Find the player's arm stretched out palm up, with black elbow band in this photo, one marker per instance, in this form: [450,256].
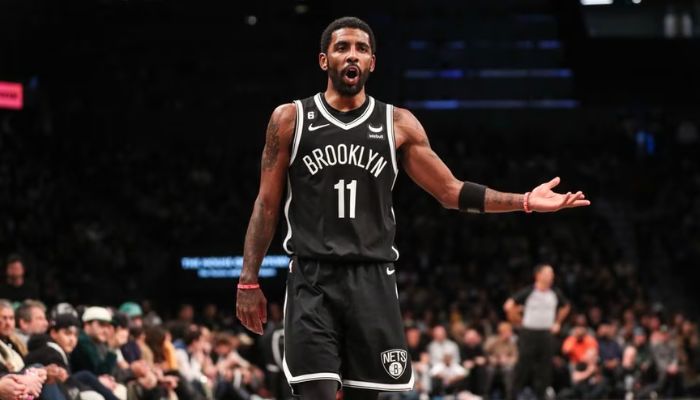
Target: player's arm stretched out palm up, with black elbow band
[427,169]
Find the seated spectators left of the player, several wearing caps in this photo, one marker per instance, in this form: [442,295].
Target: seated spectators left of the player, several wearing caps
[91,352]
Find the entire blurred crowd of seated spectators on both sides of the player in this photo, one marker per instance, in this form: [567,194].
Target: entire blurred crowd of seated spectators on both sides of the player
[129,352]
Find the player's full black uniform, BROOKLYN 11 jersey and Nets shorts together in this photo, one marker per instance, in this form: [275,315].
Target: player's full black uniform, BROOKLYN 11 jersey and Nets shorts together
[342,317]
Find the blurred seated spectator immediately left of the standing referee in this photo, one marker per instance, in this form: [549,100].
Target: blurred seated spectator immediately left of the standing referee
[502,353]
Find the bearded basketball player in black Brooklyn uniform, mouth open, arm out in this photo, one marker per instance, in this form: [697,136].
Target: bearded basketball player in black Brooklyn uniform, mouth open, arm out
[337,153]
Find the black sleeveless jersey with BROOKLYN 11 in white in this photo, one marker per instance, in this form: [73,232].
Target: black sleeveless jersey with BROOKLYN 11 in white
[340,178]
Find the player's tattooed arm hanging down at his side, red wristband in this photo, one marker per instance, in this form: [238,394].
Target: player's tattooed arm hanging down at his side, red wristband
[251,305]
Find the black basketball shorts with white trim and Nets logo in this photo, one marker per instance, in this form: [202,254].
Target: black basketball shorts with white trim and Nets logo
[342,322]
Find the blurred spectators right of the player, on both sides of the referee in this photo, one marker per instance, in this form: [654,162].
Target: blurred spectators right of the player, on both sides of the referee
[631,356]
